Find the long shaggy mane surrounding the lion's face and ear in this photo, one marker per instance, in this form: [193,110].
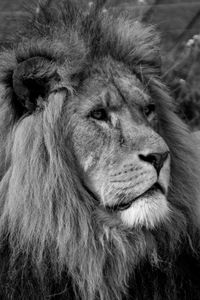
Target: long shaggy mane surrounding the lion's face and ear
[55,242]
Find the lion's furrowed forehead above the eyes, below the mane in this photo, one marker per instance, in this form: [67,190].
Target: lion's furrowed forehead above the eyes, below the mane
[113,87]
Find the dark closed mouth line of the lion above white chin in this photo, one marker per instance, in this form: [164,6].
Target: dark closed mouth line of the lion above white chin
[122,206]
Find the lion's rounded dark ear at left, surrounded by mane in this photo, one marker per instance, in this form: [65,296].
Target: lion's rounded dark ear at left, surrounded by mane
[33,80]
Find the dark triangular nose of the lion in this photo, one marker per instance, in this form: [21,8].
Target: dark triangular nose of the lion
[156,159]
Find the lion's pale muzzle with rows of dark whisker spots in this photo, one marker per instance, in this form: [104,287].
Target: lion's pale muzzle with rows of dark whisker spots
[132,179]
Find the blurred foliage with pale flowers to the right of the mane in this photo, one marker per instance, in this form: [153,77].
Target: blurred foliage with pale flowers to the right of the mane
[182,73]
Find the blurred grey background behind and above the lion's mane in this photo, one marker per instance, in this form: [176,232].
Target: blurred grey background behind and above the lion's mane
[178,22]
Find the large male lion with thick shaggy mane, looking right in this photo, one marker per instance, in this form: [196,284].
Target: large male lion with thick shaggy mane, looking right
[99,178]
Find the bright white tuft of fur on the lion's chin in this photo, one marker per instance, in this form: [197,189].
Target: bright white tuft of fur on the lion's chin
[146,211]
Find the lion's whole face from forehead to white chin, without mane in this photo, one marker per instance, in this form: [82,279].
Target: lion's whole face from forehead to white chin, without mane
[125,162]
